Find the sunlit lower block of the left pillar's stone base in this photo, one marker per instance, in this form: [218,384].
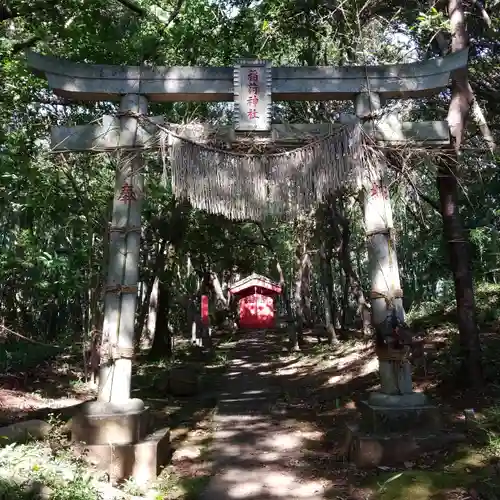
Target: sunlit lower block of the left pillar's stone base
[141,461]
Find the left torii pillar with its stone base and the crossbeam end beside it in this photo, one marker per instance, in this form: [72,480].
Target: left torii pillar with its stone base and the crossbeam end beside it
[114,428]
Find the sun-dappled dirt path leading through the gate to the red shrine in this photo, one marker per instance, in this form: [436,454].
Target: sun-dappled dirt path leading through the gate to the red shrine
[260,451]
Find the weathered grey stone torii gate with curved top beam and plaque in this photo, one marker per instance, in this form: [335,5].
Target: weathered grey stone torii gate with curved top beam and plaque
[133,87]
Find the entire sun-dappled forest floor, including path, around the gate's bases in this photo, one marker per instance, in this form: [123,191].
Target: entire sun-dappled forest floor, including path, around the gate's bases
[296,409]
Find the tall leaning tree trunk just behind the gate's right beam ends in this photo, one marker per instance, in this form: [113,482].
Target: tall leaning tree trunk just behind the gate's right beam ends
[447,184]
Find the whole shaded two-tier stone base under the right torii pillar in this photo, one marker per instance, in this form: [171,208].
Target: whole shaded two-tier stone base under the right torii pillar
[394,429]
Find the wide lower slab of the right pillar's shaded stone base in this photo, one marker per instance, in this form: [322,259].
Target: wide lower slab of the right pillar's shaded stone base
[367,450]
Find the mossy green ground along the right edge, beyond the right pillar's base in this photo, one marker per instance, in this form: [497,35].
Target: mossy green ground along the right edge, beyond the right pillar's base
[469,471]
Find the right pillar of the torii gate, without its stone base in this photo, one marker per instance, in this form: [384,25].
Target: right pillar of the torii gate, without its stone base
[386,294]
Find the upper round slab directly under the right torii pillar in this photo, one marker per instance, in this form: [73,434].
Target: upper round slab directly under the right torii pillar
[399,418]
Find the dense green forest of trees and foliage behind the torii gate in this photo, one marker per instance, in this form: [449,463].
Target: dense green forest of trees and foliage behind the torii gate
[55,210]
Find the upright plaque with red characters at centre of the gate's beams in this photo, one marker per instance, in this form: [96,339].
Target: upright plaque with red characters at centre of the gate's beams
[252,96]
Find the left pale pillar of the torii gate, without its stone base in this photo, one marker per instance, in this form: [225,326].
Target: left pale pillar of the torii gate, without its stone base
[123,273]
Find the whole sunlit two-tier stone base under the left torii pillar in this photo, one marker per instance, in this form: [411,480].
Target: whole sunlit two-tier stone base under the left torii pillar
[115,438]
